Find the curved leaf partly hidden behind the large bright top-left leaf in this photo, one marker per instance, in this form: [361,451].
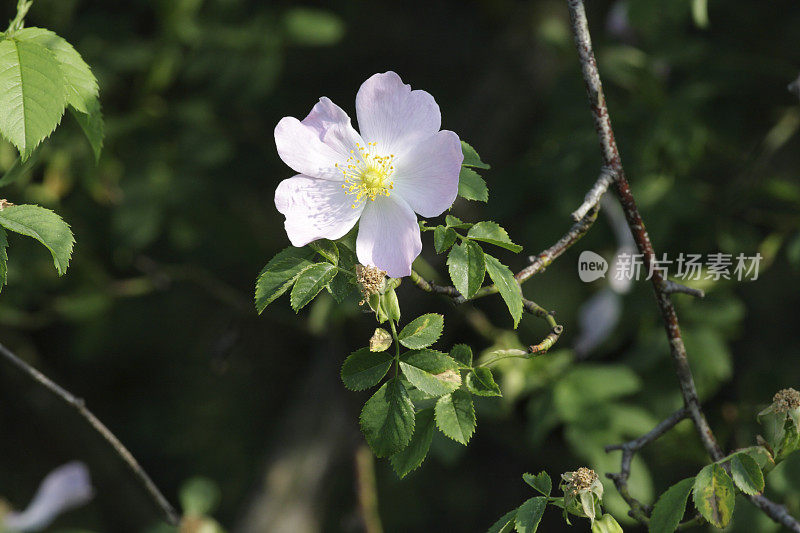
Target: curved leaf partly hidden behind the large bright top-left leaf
[80,83]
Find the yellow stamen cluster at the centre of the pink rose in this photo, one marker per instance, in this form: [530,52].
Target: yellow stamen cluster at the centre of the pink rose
[366,174]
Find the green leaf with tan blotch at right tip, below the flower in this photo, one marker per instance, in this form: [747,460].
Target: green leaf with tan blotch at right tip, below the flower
[432,372]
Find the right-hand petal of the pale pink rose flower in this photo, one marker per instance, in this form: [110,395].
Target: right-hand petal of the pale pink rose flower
[427,176]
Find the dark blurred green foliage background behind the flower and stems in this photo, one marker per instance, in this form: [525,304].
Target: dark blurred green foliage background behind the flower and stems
[154,324]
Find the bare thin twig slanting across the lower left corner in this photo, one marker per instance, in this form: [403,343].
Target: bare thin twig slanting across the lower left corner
[40,380]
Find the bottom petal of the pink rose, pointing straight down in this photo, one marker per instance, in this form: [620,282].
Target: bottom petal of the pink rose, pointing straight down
[388,236]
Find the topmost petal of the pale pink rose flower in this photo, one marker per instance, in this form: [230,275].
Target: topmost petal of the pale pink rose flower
[392,115]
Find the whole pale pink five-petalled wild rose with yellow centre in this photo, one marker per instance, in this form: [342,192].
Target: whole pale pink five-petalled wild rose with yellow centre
[400,165]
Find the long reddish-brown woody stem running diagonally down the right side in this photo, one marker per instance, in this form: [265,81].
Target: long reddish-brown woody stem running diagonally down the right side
[611,160]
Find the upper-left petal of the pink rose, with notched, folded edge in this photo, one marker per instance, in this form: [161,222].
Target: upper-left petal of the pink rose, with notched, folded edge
[314,146]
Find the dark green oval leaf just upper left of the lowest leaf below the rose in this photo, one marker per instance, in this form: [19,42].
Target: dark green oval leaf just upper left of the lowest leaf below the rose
[387,419]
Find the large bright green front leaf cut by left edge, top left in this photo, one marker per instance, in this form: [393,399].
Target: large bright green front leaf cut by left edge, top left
[32,94]
